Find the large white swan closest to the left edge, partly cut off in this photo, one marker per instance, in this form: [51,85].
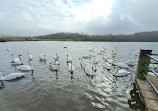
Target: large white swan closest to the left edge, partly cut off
[11,76]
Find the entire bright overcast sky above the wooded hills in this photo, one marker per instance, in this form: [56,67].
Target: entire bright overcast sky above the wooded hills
[36,17]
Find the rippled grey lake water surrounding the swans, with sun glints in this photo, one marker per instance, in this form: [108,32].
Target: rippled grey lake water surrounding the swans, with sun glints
[45,90]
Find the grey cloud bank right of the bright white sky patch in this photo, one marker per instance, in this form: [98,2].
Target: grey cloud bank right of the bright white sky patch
[127,16]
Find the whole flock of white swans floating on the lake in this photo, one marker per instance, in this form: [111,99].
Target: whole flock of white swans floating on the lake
[88,63]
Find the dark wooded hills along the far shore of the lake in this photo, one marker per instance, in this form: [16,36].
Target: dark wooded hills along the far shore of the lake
[136,37]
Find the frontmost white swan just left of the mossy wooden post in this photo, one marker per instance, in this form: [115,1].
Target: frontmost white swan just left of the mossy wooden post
[121,72]
